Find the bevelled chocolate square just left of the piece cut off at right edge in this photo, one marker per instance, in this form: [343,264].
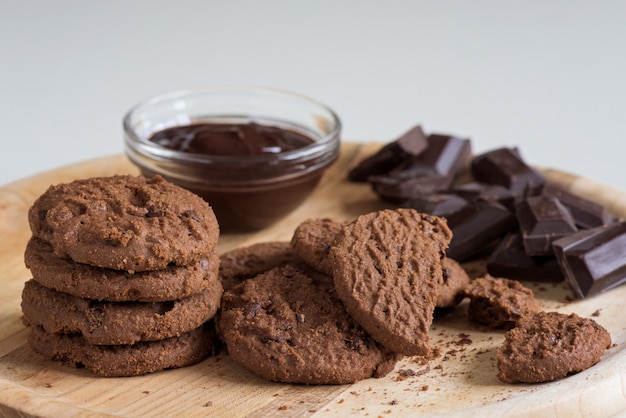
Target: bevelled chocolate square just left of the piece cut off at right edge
[543,219]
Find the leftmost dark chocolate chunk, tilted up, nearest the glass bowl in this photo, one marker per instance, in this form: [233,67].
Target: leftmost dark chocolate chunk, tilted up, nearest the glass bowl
[411,143]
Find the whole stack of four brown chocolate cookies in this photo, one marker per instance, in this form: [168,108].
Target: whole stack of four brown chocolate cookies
[125,275]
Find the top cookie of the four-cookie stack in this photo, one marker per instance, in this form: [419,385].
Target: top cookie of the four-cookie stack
[125,222]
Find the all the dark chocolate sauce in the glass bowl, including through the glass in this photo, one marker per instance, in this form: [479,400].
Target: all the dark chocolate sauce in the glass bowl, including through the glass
[245,194]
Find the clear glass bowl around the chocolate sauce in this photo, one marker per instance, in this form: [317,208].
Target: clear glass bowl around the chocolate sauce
[246,192]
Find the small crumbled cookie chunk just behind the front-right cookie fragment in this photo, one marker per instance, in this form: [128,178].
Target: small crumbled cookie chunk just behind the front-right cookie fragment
[499,302]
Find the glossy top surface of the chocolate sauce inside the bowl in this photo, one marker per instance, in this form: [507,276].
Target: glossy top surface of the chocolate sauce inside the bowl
[230,139]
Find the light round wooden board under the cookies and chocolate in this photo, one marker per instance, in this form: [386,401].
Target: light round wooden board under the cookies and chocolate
[460,381]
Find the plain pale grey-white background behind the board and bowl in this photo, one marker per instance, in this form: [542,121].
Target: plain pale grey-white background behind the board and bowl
[546,76]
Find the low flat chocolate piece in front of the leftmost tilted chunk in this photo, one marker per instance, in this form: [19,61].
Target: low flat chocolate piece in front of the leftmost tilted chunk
[391,188]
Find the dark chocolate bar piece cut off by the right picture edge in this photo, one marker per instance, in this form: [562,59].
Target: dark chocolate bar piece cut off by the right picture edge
[592,260]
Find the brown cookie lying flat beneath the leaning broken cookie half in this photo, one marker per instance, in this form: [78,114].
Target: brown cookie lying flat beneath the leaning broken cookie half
[288,325]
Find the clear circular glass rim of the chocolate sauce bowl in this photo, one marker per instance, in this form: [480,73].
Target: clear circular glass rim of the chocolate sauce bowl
[152,150]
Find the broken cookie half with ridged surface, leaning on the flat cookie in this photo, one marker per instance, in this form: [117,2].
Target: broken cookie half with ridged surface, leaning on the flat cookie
[388,272]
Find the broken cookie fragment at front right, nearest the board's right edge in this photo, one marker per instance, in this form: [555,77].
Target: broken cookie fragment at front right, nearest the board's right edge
[546,346]
